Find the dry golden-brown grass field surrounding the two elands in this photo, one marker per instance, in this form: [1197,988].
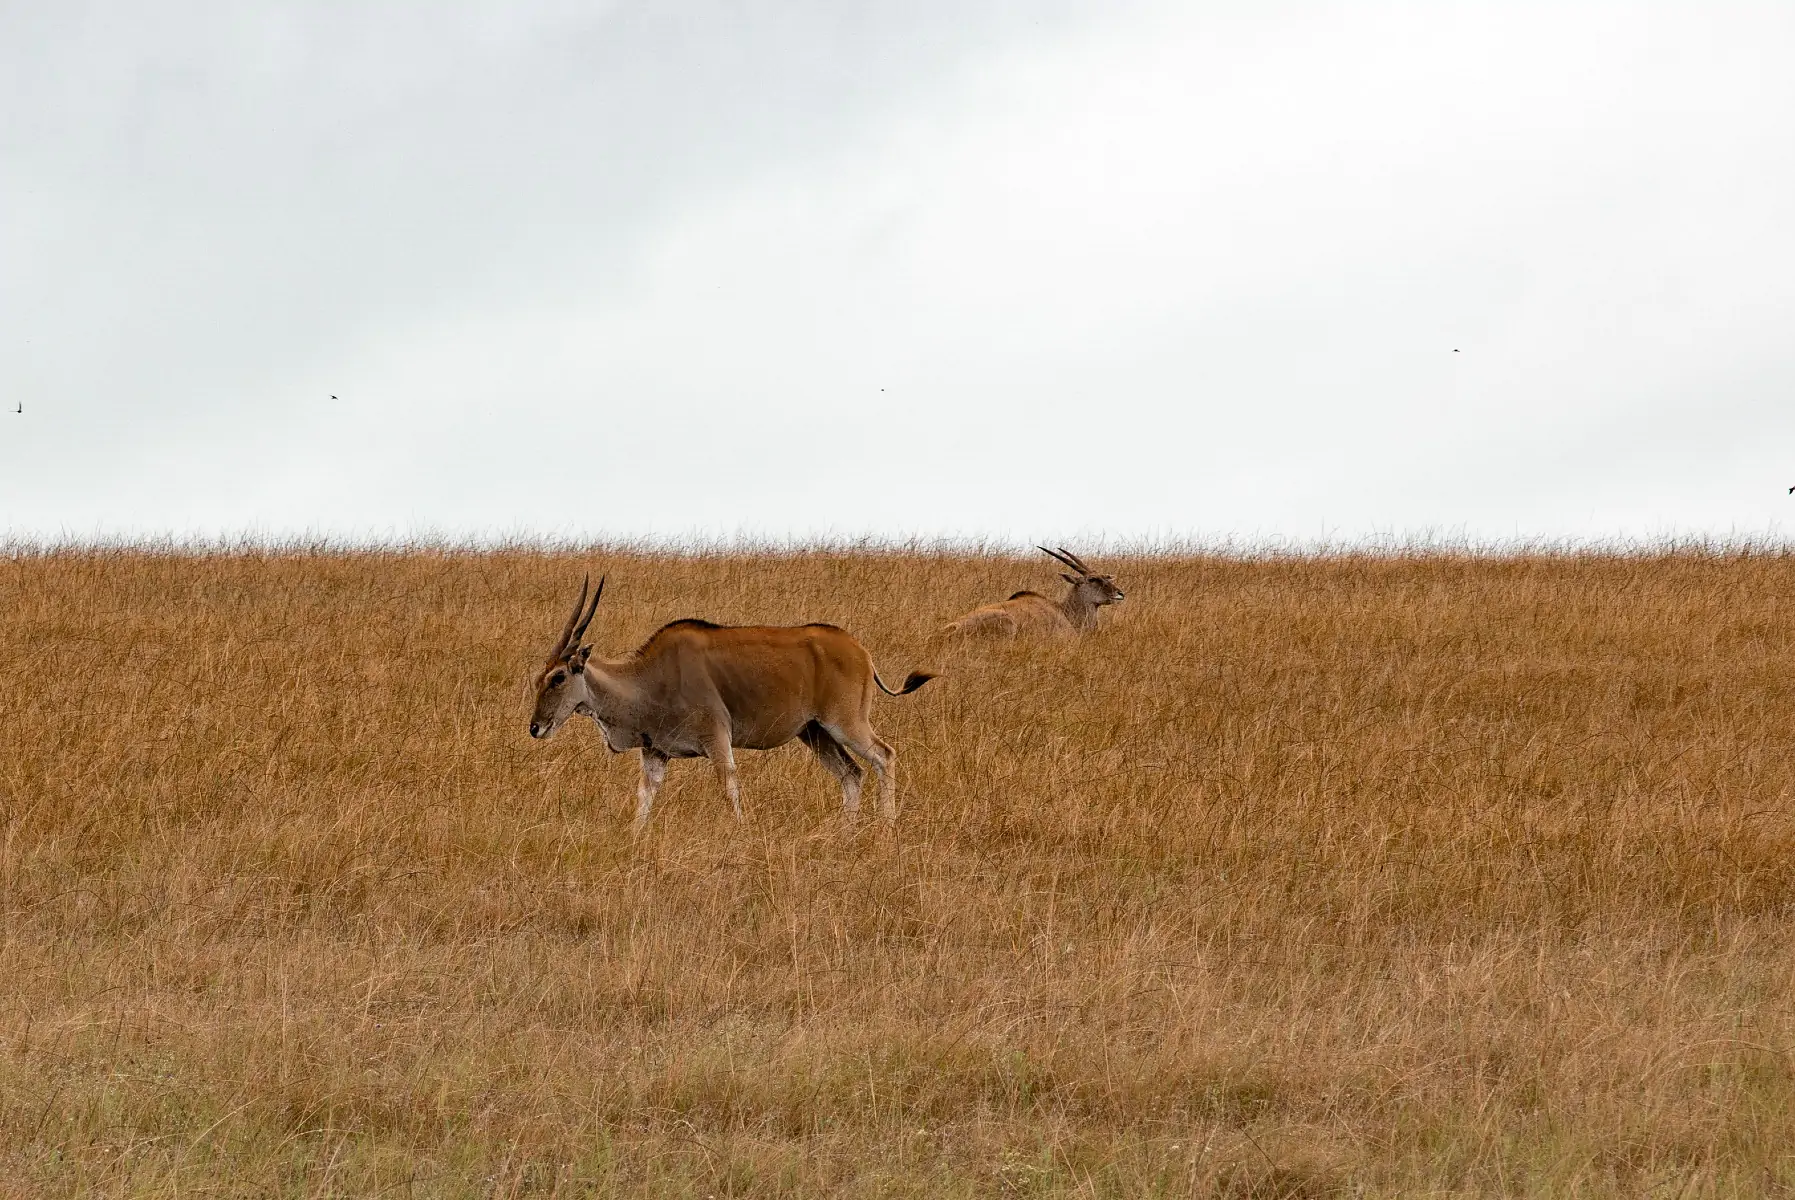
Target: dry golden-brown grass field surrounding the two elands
[1311,876]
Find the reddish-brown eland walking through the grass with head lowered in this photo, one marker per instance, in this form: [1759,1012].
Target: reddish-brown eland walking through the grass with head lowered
[697,691]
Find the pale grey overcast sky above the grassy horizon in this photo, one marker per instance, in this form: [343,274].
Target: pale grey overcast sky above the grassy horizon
[1256,272]
